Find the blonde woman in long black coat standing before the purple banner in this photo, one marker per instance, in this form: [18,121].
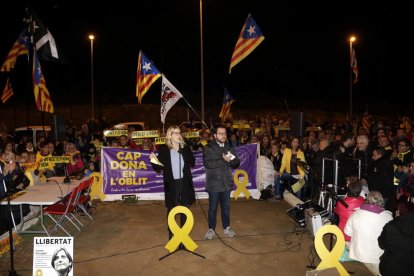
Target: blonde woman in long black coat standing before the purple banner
[175,159]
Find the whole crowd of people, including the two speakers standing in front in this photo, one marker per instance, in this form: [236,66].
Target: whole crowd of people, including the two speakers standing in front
[375,187]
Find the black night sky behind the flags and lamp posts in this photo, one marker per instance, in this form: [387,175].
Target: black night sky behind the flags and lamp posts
[304,57]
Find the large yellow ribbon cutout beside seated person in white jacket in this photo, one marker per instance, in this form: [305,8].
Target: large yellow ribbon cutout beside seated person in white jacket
[330,258]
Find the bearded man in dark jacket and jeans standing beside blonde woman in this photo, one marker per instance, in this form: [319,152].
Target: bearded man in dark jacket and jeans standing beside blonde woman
[219,158]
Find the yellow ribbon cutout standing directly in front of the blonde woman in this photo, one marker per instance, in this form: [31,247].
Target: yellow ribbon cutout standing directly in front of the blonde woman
[181,235]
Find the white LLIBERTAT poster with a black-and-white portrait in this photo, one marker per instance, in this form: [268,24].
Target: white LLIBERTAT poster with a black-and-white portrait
[53,256]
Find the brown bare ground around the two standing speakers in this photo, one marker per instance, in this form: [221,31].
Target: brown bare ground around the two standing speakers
[129,240]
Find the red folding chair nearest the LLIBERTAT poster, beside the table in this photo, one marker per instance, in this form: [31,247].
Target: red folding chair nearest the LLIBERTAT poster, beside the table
[64,210]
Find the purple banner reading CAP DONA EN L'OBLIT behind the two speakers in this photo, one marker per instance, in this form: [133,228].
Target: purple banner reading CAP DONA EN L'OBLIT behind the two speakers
[128,171]
